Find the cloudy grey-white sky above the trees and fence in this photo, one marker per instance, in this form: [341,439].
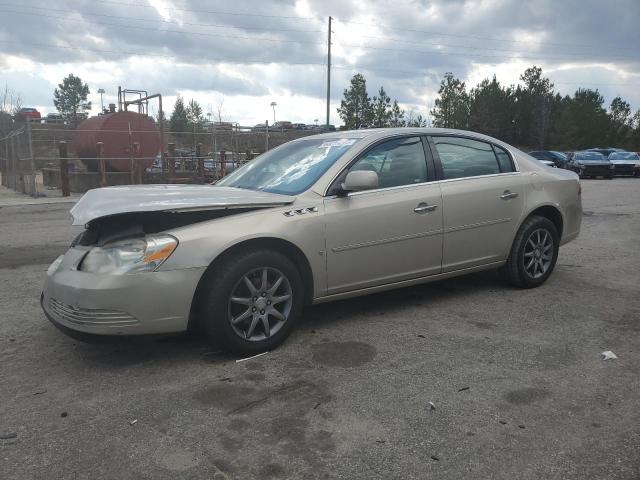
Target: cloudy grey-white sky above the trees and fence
[243,55]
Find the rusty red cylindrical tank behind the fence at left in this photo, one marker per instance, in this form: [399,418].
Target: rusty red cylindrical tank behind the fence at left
[113,130]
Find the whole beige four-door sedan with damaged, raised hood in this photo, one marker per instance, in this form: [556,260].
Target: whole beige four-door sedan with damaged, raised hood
[320,218]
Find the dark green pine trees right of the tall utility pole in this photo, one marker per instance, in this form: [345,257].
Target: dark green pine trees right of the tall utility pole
[530,115]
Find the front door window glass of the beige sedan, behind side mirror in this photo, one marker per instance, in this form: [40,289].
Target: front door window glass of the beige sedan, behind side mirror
[396,162]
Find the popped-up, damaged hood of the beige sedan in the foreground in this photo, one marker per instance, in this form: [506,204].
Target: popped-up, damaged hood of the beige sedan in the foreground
[104,202]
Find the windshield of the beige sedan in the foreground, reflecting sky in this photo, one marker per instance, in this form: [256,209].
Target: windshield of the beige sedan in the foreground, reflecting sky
[291,168]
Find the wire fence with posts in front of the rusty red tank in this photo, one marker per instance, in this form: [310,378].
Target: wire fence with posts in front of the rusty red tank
[36,158]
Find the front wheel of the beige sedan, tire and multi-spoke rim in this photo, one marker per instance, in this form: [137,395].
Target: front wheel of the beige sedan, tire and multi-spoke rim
[248,333]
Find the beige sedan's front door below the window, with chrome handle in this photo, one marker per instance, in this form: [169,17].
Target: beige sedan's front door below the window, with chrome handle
[376,237]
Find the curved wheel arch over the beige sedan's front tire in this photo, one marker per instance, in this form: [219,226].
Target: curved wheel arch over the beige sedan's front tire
[280,245]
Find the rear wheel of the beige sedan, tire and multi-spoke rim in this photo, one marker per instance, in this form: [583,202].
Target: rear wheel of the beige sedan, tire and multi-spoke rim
[517,271]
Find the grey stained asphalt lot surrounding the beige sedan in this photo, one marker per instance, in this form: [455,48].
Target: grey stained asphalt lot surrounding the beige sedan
[518,383]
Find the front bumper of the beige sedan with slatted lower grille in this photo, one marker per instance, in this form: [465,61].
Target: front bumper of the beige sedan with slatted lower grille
[134,304]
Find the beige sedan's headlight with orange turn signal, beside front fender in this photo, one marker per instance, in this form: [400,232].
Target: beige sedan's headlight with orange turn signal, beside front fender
[130,256]
